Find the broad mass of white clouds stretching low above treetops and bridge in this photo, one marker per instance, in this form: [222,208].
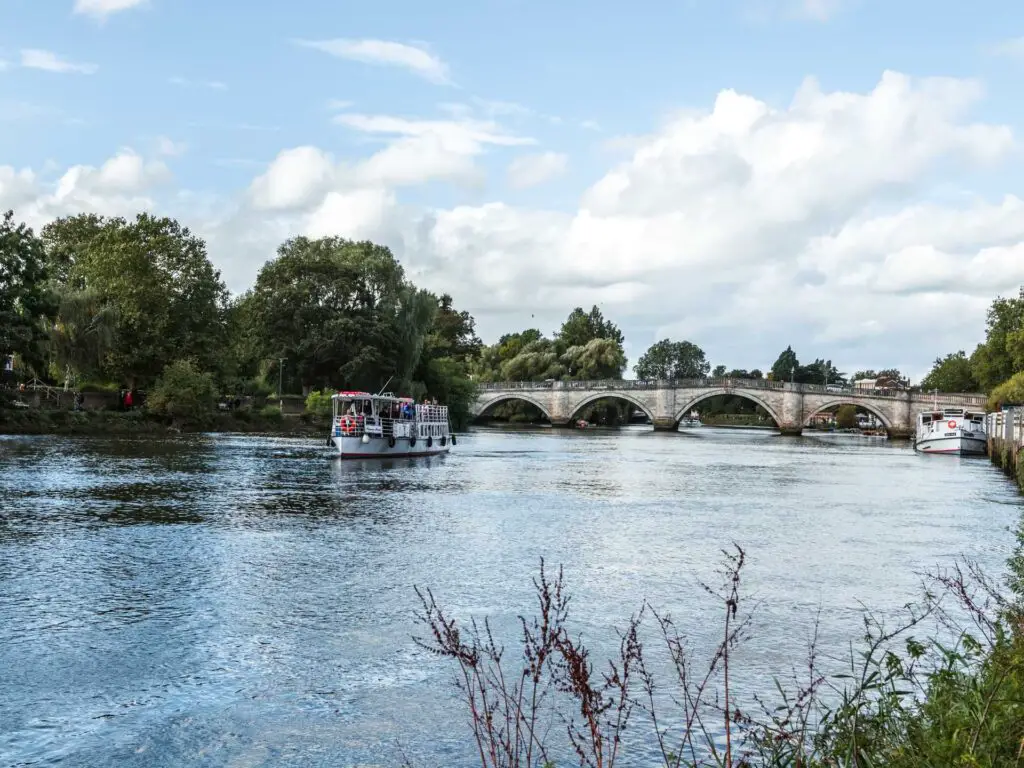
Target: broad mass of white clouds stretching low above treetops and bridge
[744,228]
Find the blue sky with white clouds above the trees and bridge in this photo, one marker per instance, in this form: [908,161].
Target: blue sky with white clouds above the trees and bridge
[843,177]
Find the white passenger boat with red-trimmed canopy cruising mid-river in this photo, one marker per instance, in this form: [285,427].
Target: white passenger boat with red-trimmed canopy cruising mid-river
[371,426]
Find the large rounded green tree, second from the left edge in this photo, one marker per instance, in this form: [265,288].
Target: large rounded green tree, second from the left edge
[154,276]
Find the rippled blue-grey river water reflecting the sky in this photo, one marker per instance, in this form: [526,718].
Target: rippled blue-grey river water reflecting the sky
[247,601]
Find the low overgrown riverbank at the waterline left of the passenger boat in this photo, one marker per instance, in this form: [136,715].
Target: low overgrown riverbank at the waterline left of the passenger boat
[107,423]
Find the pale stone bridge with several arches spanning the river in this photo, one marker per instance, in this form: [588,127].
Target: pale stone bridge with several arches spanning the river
[666,403]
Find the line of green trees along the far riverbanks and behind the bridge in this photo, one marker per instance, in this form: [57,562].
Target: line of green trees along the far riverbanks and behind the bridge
[137,304]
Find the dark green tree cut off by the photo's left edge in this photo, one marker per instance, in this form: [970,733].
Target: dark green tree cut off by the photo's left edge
[24,298]
